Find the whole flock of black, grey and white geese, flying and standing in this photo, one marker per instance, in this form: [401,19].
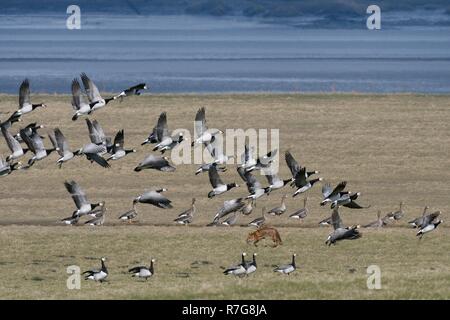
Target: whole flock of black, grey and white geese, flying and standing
[102,149]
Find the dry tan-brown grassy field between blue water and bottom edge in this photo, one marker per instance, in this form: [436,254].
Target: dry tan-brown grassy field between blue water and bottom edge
[389,147]
